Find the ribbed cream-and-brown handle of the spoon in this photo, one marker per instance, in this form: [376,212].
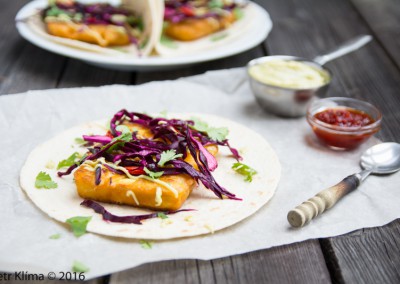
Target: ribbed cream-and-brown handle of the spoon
[324,200]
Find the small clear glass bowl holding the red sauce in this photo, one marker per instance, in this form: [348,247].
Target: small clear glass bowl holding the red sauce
[343,137]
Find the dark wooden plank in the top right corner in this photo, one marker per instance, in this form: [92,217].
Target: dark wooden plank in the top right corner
[383,18]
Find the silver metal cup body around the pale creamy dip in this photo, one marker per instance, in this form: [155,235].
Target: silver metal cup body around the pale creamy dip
[283,101]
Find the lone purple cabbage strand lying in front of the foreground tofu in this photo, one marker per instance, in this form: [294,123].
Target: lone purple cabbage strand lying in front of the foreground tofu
[133,219]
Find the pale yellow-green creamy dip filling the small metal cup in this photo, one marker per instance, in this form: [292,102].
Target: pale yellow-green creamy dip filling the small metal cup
[289,74]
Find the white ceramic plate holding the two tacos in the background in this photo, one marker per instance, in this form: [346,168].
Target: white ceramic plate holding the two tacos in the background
[258,30]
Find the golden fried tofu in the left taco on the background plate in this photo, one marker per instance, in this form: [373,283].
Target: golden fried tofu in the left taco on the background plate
[103,35]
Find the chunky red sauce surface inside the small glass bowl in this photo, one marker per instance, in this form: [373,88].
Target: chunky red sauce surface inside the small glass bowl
[345,117]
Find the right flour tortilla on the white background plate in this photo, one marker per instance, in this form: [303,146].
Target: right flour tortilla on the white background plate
[170,47]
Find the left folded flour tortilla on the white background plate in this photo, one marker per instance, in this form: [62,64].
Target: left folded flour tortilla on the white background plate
[146,8]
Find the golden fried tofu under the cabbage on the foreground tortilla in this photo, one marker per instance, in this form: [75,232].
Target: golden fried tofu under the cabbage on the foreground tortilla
[120,189]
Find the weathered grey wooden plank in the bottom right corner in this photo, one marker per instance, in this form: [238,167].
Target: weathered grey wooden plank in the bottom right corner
[367,256]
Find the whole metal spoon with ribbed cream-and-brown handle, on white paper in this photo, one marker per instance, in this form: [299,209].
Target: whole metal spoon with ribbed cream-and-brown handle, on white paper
[383,158]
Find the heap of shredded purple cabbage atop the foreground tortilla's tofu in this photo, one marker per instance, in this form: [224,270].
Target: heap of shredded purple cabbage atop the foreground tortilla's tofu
[168,134]
